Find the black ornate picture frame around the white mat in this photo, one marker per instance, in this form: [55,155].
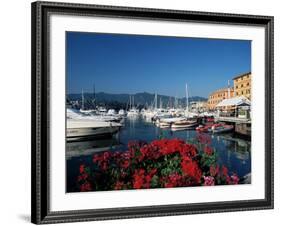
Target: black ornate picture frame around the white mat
[40,211]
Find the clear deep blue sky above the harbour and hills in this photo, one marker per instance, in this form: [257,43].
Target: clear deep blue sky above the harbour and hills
[136,63]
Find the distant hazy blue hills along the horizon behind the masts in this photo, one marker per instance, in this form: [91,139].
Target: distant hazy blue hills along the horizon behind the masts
[140,99]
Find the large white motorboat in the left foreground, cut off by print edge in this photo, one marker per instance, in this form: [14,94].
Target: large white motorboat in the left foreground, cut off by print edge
[82,129]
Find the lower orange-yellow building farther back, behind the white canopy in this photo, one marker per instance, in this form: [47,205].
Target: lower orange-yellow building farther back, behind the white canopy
[219,95]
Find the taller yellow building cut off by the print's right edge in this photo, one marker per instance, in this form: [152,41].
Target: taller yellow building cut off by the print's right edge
[242,85]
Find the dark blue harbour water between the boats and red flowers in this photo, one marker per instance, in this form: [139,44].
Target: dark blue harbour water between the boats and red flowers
[233,151]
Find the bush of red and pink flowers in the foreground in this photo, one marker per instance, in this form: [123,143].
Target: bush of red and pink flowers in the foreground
[163,163]
